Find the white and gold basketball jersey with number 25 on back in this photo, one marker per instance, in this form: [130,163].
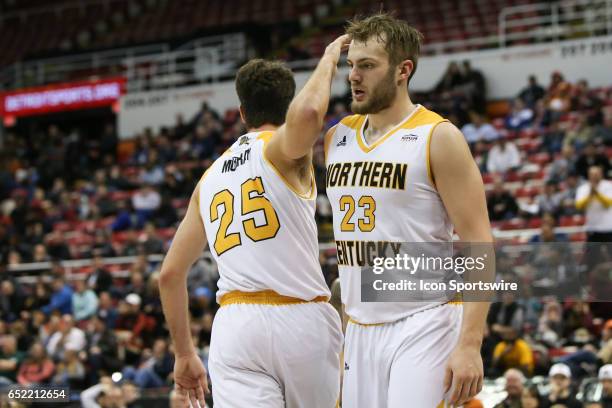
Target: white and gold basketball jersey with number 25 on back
[262,234]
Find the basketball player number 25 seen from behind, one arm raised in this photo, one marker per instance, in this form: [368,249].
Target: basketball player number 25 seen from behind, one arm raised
[276,340]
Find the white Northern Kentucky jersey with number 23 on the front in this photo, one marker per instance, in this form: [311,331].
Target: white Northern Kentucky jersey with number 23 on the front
[382,194]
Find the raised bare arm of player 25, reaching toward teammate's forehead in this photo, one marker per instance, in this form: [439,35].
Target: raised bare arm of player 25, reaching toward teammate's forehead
[290,148]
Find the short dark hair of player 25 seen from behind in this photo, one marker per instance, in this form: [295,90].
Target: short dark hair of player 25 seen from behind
[265,89]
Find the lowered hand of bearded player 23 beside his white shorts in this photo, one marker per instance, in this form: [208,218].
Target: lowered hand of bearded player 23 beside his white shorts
[464,375]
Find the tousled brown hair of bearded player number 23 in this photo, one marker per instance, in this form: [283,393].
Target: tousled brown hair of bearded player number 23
[401,40]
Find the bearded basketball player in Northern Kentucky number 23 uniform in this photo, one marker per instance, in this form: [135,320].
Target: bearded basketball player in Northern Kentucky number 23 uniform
[397,172]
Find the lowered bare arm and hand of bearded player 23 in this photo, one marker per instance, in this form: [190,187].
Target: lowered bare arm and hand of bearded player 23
[460,186]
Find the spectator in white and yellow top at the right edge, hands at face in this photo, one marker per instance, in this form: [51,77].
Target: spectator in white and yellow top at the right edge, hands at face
[595,199]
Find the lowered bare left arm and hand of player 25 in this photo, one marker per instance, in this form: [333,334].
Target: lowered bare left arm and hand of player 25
[189,241]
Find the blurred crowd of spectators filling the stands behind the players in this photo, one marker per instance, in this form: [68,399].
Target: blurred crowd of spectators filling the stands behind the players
[73,191]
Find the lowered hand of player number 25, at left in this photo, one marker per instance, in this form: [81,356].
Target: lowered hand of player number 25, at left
[191,379]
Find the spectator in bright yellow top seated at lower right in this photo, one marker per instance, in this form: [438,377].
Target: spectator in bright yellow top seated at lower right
[513,352]
